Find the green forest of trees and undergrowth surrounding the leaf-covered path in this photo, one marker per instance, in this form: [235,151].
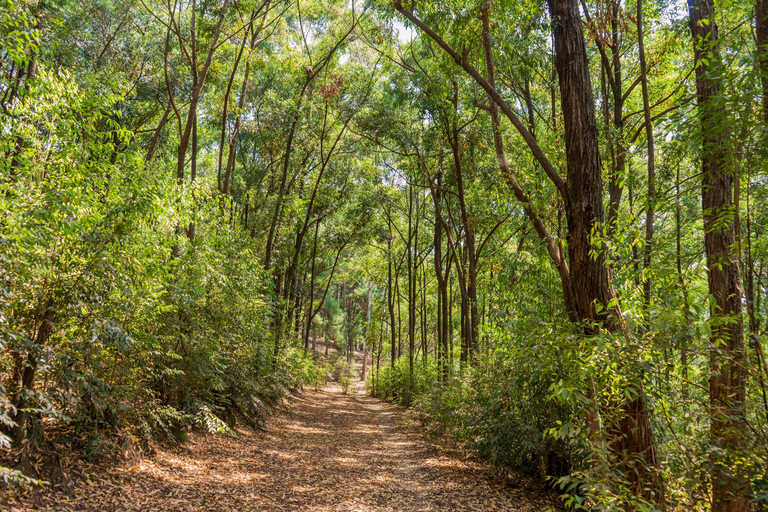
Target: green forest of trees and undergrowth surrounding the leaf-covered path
[541,223]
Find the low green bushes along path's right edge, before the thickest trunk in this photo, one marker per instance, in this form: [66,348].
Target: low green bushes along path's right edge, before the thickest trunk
[501,407]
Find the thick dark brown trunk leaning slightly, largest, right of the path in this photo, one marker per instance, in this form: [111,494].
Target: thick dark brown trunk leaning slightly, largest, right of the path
[633,444]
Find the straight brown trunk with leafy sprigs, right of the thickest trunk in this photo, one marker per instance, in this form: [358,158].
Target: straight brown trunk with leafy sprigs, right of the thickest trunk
[727,384]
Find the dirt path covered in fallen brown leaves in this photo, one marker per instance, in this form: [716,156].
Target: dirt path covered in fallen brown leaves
[322,451]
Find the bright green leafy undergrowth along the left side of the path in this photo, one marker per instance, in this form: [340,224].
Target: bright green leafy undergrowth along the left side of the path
[130,331]
